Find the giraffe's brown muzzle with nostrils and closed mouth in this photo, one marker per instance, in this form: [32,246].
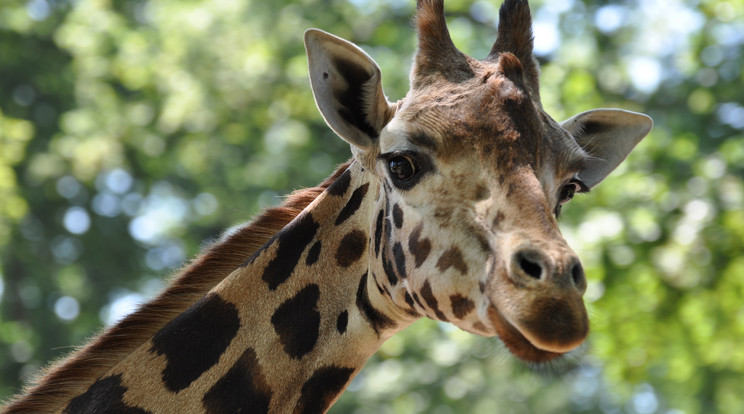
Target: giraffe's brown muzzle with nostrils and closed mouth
[537,295]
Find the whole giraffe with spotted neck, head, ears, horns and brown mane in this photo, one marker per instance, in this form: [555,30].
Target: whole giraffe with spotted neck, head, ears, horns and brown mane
[447,209]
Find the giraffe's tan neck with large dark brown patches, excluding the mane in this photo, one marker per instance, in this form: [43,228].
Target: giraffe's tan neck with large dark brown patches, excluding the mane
[286,332]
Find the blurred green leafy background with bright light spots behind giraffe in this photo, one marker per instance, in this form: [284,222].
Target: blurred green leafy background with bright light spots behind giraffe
[132,132]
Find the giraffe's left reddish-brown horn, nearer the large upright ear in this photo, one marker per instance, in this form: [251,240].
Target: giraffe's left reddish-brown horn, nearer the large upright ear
[436,54]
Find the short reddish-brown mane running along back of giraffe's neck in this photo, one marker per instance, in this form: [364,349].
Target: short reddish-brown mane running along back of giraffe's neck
[74,373]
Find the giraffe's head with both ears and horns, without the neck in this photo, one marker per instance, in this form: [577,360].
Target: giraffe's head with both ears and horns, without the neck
[472,175]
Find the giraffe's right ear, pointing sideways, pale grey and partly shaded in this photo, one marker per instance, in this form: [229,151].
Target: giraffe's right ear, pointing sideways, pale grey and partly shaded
[608,135]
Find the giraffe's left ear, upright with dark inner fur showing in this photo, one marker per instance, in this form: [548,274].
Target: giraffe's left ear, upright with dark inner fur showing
[347,86]
